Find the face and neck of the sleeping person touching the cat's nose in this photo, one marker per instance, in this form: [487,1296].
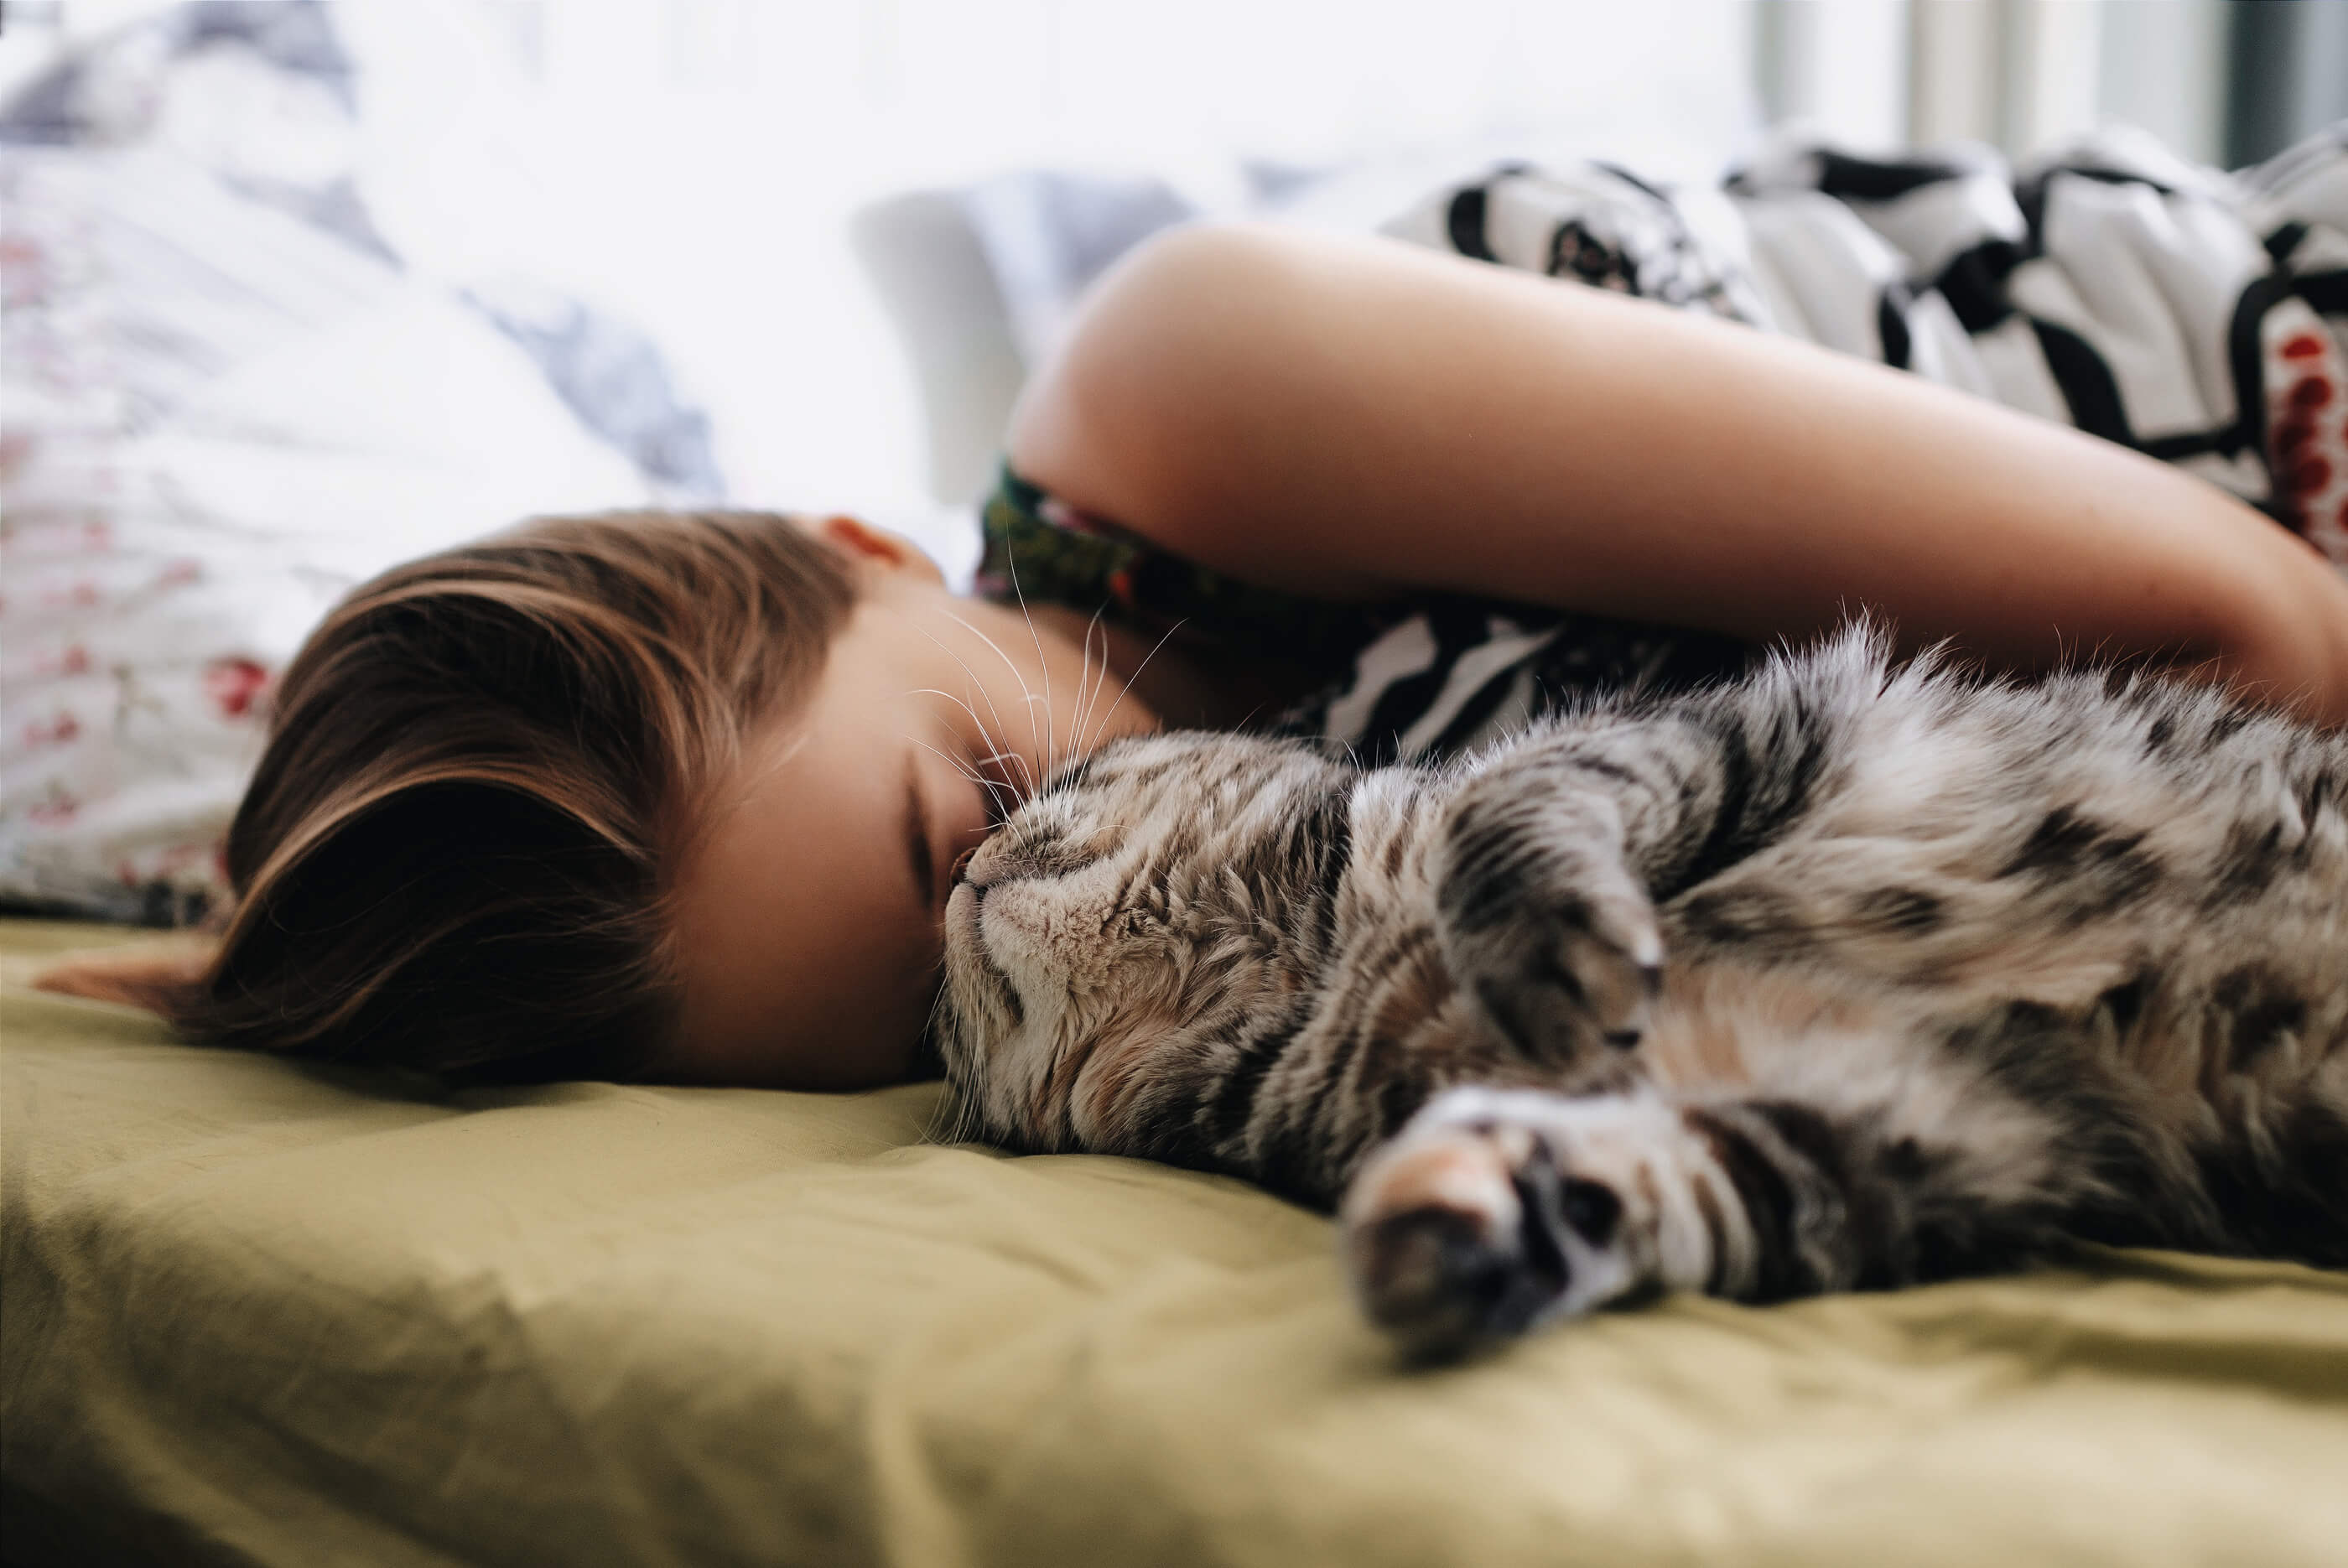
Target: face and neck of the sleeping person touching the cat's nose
[809,917]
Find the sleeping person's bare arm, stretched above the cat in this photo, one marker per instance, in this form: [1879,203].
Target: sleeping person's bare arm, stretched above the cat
[1347,417]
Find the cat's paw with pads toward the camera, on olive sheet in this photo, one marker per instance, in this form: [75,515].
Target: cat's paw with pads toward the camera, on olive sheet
[1499,1210]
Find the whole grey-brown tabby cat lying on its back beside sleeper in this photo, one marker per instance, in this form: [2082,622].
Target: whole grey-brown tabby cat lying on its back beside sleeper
[1840,978]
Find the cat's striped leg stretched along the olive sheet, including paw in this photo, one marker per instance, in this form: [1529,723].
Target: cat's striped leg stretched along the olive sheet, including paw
[1499,1210]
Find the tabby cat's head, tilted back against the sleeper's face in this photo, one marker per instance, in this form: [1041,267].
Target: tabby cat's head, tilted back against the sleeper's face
[1142,903]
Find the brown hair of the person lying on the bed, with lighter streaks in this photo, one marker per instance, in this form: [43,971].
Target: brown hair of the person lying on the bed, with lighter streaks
[483,771]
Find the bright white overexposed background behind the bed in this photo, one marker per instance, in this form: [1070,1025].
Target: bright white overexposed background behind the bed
[696,161]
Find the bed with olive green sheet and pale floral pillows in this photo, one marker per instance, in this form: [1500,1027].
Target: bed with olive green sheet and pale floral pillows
[262,1313]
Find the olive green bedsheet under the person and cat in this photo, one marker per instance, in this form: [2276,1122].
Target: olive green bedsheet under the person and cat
[266,1316]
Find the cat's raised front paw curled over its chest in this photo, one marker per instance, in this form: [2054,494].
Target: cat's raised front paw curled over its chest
[1549,931]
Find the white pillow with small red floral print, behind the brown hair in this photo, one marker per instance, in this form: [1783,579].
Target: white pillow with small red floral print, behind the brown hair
[217,421]
